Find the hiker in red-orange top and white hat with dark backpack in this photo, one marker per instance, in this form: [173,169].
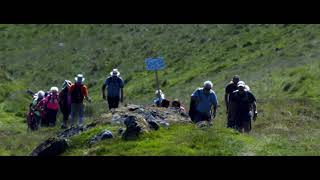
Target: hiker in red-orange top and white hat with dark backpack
[78,92]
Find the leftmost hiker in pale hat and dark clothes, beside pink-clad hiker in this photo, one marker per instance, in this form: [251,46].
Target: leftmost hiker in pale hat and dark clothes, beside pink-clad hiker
[34,115]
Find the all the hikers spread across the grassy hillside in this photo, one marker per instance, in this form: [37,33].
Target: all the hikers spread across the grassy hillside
[240,103]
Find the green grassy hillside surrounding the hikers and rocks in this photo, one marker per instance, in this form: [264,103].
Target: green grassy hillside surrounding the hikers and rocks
[279,62]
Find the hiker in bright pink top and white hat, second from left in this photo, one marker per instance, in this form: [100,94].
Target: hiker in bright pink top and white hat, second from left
[51,103]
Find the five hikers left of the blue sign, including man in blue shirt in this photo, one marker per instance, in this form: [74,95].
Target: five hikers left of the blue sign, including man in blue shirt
[70,101]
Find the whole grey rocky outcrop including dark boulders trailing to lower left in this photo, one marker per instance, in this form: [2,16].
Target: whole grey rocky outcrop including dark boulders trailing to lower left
[136,119]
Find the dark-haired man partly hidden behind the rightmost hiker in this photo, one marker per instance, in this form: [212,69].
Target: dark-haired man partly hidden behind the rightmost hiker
[232,86]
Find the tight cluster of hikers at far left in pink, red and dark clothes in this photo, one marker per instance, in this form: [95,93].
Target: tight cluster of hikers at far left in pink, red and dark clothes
[45,105]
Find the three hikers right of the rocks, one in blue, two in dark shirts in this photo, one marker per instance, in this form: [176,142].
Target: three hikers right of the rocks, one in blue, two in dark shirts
[240,105]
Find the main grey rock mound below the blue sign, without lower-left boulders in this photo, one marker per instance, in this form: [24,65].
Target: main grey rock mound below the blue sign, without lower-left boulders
[142,119]
